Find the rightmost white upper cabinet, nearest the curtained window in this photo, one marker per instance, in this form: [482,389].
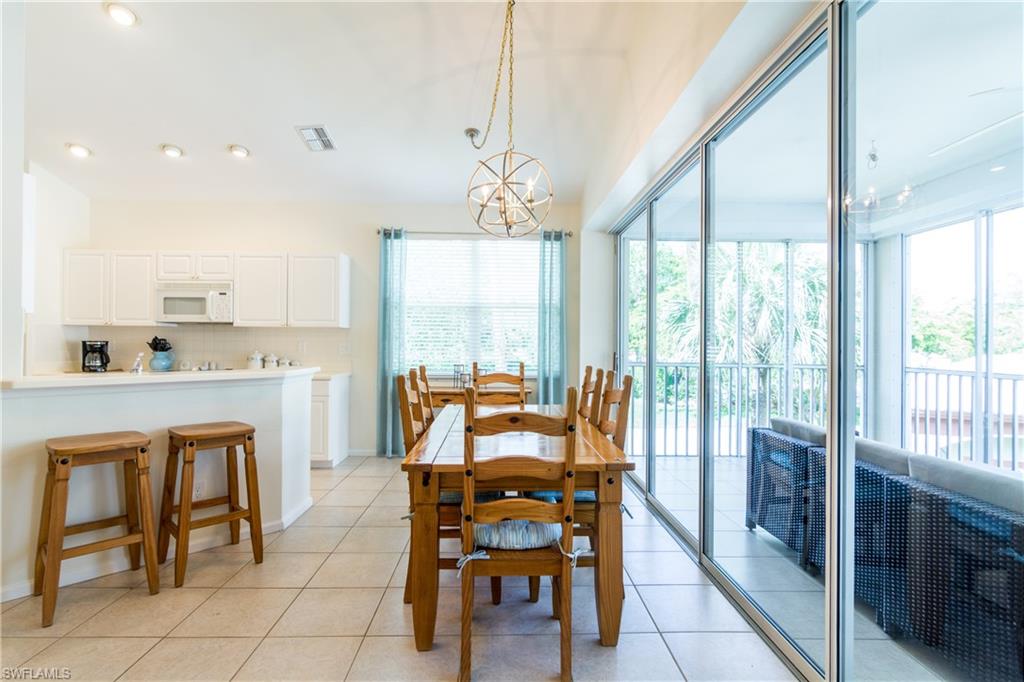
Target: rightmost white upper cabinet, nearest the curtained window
[318,290]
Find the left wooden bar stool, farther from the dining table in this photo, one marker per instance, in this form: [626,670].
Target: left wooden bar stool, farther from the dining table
[133,449]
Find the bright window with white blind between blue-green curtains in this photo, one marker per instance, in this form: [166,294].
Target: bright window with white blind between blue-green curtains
[472,301]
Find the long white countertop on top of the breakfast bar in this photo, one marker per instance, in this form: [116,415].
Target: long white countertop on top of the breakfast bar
[75,380]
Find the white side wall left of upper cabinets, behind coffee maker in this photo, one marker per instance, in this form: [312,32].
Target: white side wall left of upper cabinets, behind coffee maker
[62,222]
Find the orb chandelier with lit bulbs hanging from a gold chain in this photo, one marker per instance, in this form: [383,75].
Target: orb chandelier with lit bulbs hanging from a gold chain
[510,193]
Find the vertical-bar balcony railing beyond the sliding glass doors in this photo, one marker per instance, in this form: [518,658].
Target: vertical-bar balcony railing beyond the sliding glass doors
[941,406]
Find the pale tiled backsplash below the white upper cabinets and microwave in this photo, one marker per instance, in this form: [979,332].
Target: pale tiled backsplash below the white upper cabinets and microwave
[228,347]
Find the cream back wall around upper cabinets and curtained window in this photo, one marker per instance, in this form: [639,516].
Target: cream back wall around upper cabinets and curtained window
[296,227]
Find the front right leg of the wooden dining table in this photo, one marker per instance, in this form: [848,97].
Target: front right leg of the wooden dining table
[609,558]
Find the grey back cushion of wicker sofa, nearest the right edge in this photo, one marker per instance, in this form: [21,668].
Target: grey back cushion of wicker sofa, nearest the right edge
[989,485]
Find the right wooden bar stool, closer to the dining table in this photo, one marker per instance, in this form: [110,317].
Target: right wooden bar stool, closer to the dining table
[191,440]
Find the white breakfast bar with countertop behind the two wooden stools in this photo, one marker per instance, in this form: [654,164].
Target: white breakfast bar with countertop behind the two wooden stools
[276,402]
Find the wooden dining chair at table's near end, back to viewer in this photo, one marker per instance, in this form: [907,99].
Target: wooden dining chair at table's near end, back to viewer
[520,536]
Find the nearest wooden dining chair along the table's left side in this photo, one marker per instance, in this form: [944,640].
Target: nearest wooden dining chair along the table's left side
[414,425]
